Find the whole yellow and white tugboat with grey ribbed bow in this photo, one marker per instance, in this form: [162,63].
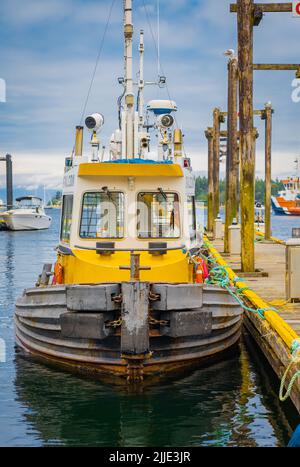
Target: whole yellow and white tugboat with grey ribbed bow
[127,296]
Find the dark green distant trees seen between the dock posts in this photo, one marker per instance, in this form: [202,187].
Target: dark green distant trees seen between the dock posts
[202,189]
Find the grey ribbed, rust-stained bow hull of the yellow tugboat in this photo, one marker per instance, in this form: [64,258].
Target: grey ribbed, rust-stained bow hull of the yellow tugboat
[41,333]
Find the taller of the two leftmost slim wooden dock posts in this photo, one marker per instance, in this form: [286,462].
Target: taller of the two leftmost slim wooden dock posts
[216,166]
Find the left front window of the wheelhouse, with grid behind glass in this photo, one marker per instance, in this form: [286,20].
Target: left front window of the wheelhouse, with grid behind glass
[102,215]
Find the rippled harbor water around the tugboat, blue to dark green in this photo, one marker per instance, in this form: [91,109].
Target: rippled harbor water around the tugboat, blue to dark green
[233,402]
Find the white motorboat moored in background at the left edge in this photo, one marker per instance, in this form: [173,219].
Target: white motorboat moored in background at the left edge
[29,214]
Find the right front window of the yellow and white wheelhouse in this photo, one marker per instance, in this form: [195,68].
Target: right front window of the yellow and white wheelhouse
[158,215]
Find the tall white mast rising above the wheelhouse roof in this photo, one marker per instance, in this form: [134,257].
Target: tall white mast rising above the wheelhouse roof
[129,96]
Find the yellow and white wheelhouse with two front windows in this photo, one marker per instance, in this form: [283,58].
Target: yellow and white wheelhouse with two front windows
[126,206]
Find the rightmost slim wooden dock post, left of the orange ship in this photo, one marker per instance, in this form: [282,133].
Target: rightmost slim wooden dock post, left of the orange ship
[267,116]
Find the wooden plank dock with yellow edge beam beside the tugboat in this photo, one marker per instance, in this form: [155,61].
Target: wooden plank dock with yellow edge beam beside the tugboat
[273,323]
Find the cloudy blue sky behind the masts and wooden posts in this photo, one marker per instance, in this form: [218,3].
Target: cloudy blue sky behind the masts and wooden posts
[47,54]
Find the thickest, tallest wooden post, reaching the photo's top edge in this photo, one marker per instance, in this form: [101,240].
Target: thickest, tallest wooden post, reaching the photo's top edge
[247,186]
